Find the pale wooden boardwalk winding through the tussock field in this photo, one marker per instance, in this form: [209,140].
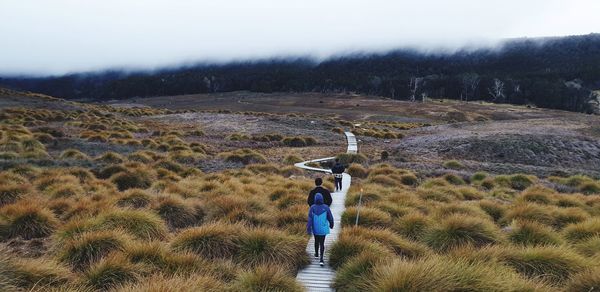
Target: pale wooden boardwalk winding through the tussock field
[314,277]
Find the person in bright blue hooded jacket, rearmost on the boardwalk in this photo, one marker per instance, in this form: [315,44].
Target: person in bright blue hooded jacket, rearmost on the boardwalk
[320,220]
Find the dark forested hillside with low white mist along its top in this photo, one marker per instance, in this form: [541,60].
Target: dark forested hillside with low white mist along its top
[559,73]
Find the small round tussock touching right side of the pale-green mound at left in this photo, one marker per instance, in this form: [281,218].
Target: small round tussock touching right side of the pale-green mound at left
[176,212]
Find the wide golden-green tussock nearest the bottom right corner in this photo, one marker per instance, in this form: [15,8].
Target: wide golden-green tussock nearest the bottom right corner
[551,263]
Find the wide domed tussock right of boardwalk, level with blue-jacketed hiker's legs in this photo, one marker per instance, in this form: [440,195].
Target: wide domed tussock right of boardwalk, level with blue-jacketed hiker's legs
[459,230]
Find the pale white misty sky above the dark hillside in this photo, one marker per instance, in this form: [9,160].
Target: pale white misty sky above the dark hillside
[54,37]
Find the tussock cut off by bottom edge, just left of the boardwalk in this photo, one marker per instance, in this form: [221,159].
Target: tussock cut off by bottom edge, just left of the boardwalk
[266,278]
